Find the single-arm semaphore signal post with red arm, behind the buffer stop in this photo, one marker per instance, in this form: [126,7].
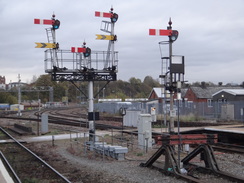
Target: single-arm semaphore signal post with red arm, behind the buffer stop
[173,69]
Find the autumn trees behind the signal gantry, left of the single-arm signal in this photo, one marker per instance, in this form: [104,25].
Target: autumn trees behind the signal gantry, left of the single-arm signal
[134,88]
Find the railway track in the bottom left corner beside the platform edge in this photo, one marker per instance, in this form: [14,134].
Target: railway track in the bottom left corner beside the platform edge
[25,165]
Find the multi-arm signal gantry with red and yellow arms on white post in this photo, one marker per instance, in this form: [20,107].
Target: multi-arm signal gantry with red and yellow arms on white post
[82,63]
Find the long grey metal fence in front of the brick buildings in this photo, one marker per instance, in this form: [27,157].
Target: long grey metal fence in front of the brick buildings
[231,110]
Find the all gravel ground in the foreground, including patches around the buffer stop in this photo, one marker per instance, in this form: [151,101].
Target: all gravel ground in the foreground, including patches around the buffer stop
[90,167]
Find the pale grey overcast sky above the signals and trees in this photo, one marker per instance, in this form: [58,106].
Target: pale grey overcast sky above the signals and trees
[210,35]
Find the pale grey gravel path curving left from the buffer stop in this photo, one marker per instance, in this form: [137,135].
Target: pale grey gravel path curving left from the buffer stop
[121,171]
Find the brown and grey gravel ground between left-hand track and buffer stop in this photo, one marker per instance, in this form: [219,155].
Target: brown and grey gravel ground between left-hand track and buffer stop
[92,168]
